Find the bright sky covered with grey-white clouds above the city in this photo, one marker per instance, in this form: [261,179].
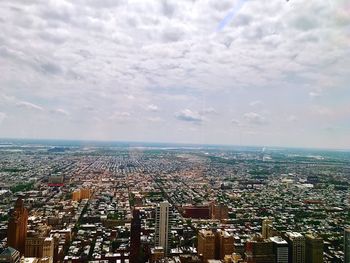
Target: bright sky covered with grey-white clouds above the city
[240,72]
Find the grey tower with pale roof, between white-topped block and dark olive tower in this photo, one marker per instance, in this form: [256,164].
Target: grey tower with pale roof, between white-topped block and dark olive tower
[296,244]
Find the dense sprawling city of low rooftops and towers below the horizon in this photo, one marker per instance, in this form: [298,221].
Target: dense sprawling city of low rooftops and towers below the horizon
[133,202]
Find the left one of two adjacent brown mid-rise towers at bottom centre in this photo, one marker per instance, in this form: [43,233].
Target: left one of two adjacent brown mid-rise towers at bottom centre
[206,245]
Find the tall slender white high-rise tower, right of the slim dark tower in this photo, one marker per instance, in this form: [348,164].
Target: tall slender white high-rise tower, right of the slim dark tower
[162,226]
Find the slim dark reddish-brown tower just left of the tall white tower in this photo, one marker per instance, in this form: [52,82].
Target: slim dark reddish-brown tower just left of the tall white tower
[135,240]
